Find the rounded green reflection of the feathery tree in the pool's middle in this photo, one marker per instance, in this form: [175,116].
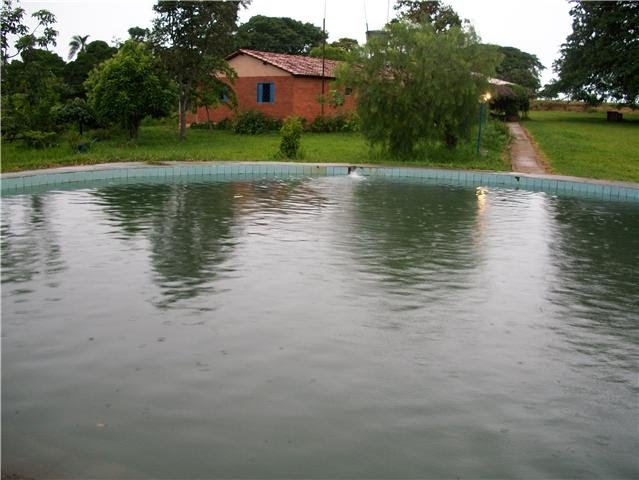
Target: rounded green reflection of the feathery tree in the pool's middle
[410,242]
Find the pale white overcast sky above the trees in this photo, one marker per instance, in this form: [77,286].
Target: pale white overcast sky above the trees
[534,26]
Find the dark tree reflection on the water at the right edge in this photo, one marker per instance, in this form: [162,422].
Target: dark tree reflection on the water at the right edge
[597,293]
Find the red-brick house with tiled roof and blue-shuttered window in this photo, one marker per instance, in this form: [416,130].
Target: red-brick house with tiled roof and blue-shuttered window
[279,85]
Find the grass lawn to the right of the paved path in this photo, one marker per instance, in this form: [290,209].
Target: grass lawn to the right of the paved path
[586,145]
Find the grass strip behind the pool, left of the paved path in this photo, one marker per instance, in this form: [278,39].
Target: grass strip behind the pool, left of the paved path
[159,143]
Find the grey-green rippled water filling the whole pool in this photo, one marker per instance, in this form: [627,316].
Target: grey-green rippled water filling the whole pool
[326,327]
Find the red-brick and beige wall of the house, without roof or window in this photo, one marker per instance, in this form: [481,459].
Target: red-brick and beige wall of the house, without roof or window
[293,95]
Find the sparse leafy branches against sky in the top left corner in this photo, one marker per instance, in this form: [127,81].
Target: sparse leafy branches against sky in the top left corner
[11,25]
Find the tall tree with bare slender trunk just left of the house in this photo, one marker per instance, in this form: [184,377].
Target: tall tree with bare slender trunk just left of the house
[192,39]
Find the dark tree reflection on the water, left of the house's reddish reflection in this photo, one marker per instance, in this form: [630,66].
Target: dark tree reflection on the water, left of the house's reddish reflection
[188,227]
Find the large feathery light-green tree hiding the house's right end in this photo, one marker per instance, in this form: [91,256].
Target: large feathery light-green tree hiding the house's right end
[414,84]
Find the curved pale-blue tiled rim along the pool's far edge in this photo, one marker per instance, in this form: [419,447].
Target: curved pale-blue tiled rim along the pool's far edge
[28,181]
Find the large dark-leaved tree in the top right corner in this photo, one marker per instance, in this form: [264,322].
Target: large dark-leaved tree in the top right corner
[600,59]
